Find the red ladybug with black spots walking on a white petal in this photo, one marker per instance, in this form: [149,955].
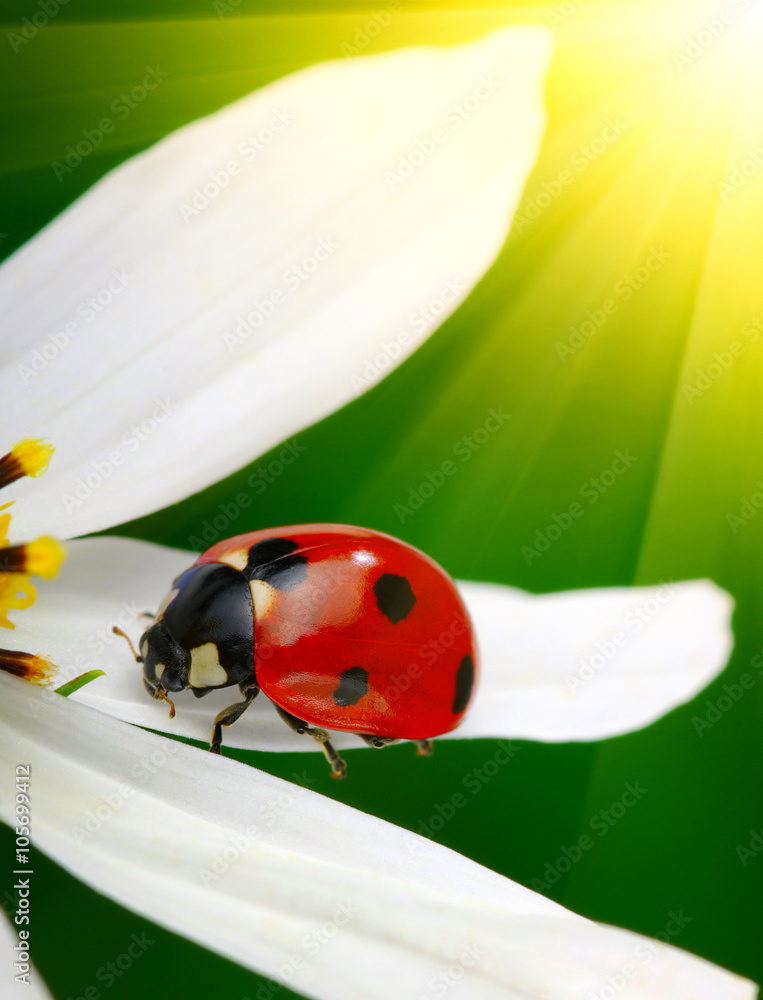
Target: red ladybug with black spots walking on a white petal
[342,628]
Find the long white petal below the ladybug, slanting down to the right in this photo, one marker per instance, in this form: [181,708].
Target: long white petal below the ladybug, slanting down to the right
[355,906]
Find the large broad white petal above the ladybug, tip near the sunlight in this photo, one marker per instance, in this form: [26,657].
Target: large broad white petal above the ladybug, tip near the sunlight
[143,396]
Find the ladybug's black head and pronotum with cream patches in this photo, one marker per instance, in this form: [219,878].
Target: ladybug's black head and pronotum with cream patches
[203,634]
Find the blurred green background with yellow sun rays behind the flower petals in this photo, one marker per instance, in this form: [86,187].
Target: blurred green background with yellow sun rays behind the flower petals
[648,192]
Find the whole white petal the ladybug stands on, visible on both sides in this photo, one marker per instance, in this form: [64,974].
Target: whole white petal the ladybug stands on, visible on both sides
[533,686]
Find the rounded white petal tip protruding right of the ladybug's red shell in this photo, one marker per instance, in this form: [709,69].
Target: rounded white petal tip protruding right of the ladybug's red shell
[588,664]
